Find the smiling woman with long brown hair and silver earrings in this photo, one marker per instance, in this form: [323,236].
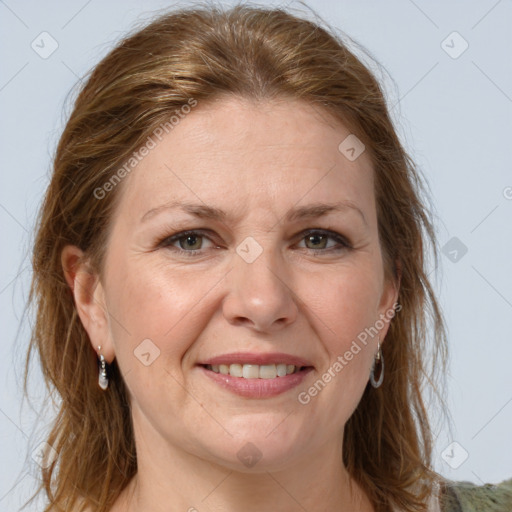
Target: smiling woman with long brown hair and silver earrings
[230,284]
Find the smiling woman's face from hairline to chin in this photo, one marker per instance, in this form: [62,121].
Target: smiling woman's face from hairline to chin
[267,275]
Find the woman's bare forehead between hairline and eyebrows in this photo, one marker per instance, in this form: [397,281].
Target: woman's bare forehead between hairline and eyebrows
[239,154]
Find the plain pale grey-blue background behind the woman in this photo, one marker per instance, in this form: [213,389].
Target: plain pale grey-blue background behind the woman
[454,115]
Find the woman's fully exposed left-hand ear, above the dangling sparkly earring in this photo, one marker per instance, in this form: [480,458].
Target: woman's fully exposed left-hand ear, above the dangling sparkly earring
[89,299]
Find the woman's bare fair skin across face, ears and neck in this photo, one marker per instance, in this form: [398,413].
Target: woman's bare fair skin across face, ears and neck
[256,161]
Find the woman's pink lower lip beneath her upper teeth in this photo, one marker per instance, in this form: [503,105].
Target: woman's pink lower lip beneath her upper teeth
[257,388]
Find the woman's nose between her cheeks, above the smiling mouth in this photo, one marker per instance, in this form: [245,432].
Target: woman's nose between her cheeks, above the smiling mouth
[260,294]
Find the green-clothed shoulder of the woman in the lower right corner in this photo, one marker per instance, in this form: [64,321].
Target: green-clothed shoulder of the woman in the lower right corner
[468,497]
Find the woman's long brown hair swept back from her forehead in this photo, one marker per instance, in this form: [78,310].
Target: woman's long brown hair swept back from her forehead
[199,54]
